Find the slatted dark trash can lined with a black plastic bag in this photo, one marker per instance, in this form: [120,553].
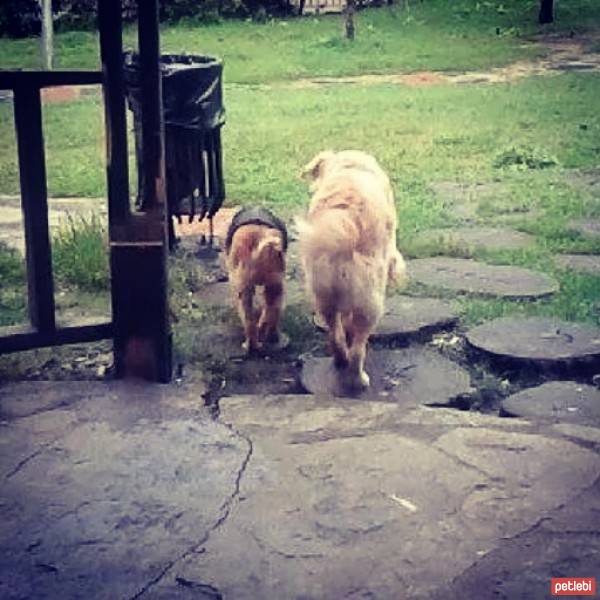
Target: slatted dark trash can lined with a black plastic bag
[192,90]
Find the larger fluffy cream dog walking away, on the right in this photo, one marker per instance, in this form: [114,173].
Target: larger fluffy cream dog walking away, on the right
[348,251]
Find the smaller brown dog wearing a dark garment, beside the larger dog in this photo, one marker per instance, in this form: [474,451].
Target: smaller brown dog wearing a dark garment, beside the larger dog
[255,257]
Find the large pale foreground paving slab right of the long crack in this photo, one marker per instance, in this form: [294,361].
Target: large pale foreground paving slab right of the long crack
[335,503]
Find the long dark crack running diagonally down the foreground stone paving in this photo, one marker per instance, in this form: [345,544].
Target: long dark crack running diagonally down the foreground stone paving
[225,510]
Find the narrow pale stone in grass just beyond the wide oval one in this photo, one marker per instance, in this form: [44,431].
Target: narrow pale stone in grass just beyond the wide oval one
[471,238]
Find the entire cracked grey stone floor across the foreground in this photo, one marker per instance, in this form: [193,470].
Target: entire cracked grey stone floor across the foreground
[114,490]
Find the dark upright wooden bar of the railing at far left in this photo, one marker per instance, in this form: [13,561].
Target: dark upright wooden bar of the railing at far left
[34,203]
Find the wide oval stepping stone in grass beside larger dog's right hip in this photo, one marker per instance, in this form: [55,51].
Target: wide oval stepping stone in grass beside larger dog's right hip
[470,276]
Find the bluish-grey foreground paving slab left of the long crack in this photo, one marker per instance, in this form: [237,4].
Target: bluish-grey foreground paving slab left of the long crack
[100,495]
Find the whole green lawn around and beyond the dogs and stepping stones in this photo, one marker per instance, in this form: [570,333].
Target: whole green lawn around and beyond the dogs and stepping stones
[424,136]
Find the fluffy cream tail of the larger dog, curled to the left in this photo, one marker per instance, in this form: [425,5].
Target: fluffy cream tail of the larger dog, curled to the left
[332,232]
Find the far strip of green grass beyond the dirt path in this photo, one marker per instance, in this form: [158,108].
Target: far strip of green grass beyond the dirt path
[436,34]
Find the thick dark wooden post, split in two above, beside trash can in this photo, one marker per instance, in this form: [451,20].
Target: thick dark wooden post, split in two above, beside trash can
[142,339]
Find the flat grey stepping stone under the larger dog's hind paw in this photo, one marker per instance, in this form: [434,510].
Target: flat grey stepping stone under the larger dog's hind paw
[413,375]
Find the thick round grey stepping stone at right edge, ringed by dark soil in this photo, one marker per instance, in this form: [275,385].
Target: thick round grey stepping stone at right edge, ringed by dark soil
[537,339]
